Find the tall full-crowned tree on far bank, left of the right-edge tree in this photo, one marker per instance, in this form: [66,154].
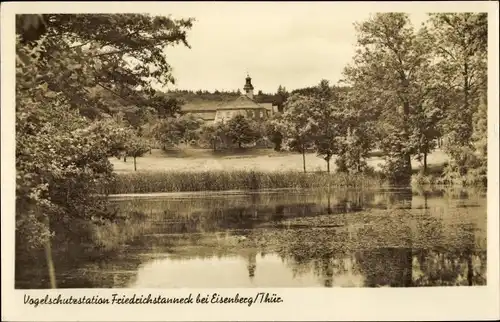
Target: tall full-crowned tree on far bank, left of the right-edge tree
[395,58]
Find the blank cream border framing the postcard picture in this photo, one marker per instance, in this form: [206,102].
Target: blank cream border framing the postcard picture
[438,303]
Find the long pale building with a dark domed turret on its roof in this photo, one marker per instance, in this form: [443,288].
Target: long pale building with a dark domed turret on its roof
[243,105]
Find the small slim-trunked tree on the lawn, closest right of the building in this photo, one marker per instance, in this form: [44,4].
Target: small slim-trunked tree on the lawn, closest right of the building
[297,125]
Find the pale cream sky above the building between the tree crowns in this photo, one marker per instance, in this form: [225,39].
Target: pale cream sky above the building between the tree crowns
[292,44]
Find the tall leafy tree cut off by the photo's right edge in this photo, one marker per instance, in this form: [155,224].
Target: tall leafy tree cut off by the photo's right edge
[460,47]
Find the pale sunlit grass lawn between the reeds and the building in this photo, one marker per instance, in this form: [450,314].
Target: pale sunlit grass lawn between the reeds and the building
[197,160]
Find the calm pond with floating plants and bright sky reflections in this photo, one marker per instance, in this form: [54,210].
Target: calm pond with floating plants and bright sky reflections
[340,238]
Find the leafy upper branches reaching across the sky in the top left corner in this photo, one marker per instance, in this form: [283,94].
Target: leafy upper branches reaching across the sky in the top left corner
[122,57]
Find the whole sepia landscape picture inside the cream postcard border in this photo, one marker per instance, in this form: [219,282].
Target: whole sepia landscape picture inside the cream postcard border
[251,146]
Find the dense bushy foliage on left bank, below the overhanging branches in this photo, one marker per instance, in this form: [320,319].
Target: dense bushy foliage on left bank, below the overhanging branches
[59,165]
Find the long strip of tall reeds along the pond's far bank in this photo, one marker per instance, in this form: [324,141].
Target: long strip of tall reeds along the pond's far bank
[151,182]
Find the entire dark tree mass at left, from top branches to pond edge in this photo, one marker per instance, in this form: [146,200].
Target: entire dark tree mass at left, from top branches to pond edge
[63,139]
